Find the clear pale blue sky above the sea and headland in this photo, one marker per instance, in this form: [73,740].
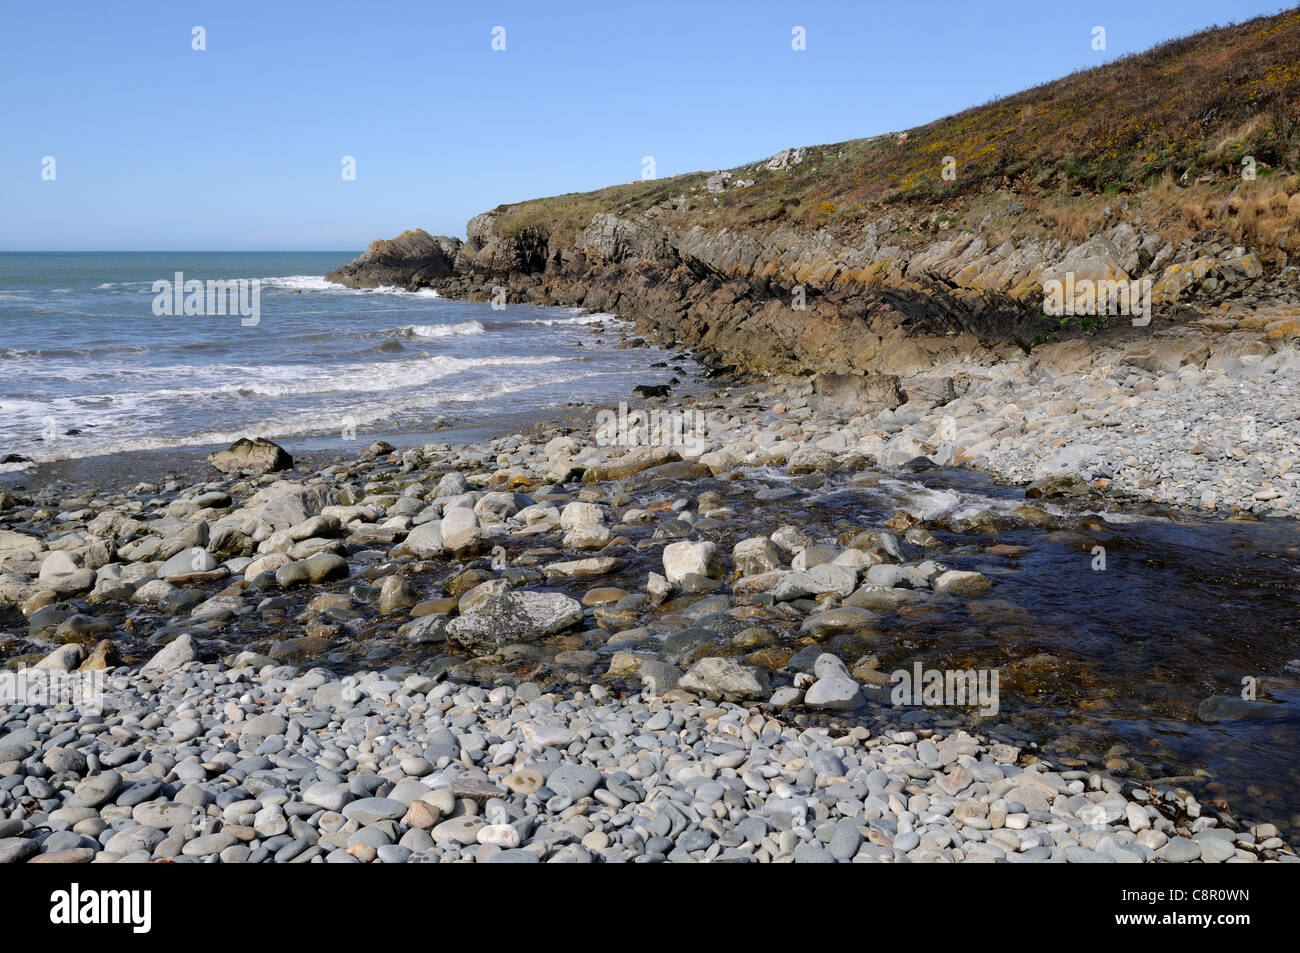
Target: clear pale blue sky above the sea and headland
[241,146]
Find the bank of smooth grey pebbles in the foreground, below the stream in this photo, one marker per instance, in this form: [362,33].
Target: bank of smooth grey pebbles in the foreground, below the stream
[206,764]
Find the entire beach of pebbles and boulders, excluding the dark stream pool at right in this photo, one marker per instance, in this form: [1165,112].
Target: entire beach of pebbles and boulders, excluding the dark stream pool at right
[539,648]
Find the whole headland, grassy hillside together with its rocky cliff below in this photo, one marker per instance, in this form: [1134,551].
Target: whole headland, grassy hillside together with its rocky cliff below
[890,254]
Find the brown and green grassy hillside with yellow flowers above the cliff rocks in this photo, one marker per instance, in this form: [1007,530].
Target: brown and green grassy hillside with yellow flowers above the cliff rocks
[1141,128]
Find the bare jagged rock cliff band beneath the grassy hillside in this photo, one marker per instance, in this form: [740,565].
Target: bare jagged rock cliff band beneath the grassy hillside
[879,302]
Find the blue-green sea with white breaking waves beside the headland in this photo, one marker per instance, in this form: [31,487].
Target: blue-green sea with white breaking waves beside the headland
[89,369]
